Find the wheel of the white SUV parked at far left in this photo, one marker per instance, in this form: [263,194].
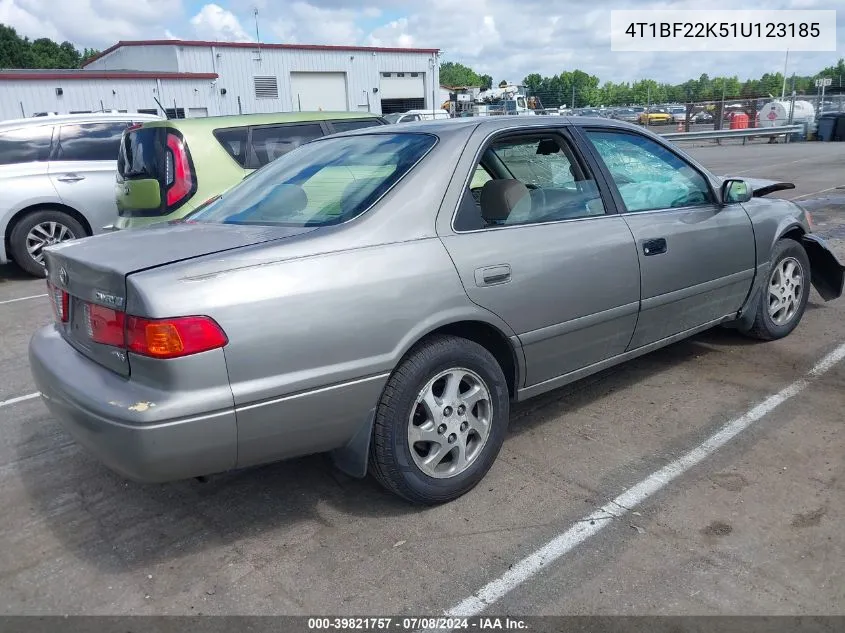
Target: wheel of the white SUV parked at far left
[37,230]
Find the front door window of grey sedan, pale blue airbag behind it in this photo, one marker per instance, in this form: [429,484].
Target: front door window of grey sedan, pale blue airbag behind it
[648,175]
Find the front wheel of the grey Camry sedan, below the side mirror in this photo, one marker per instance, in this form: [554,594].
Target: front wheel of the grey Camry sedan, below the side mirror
[785,295]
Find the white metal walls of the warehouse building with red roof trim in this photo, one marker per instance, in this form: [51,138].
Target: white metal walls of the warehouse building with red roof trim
[234,90]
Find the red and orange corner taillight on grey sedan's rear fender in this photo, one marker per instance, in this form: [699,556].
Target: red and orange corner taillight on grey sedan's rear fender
[172,338]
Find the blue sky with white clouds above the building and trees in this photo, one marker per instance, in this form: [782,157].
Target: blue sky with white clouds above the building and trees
[504,38]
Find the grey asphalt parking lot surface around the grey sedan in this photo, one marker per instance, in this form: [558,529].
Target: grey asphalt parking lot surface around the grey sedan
[753,527]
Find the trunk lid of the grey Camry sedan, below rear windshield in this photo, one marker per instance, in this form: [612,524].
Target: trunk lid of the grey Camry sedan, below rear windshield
[93,271]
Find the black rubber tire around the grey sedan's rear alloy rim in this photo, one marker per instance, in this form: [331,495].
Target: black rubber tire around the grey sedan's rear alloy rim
[391,462]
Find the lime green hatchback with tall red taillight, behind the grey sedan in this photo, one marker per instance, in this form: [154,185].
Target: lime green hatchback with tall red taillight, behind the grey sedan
[167,168]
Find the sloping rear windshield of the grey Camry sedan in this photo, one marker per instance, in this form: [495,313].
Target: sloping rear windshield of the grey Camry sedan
[325,182]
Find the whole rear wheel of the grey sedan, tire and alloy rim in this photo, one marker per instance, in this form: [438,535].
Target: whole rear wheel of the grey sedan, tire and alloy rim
[441,421]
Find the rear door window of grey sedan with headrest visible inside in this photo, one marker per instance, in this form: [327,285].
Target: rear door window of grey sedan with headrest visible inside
[527,180]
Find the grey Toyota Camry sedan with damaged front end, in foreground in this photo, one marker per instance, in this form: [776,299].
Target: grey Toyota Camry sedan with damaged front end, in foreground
[384,295]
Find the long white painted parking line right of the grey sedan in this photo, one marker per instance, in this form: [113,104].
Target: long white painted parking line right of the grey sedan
[602,517]
